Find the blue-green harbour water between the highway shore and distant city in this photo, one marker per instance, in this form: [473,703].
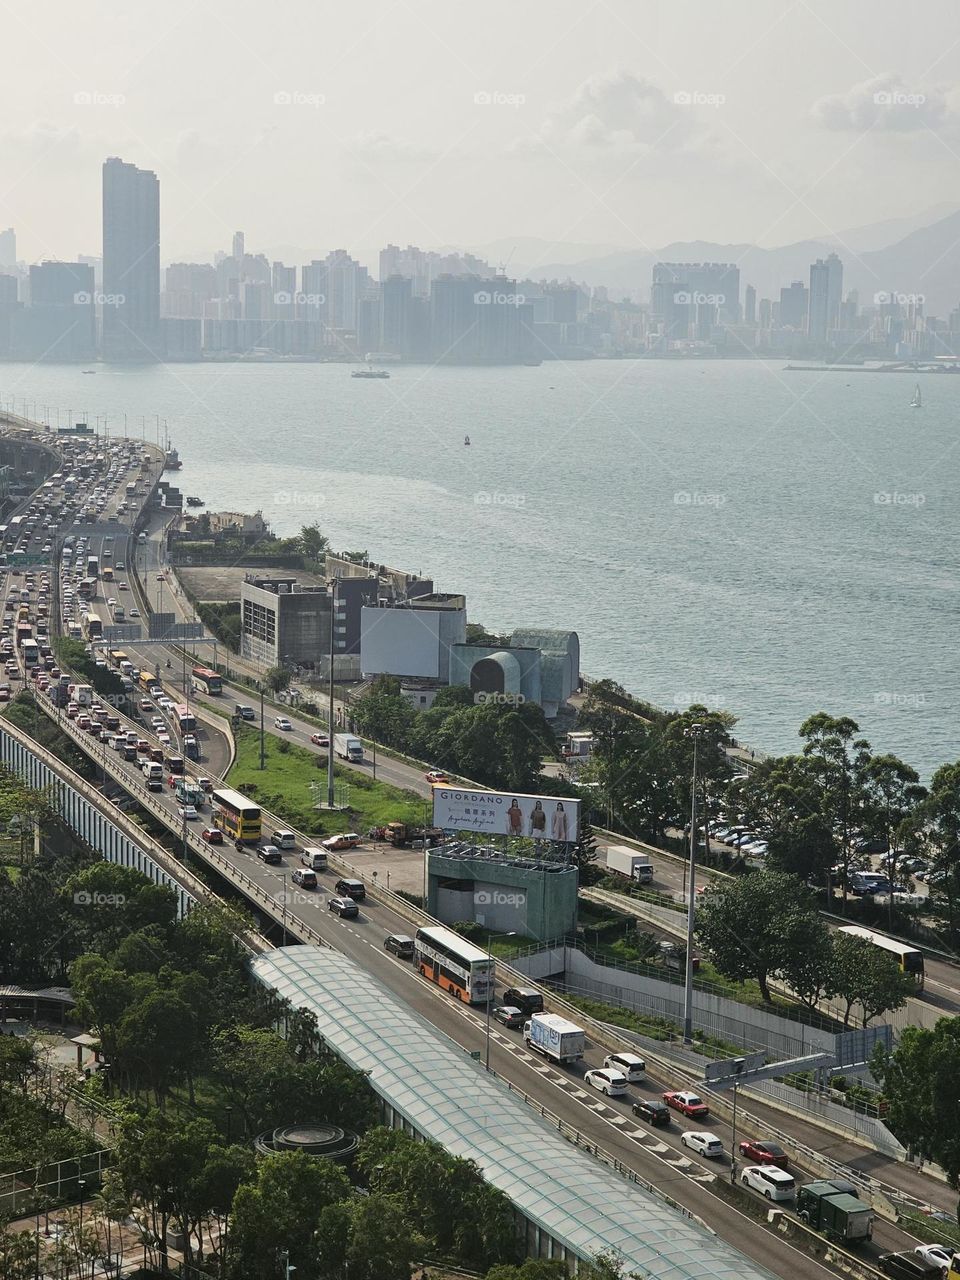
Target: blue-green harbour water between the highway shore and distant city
[774,543]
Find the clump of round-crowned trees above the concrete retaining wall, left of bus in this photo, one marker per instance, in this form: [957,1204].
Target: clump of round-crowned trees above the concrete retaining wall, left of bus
[766,926]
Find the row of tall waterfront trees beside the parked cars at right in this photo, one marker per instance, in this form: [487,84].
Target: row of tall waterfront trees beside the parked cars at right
[821,810]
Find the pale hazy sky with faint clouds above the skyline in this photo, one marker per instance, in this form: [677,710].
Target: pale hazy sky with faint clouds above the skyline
[438,122]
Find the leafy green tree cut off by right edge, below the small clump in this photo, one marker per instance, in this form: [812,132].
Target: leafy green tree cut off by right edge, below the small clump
[922,1085]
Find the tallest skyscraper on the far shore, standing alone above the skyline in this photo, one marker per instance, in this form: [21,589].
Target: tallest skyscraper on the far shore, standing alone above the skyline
[131,301]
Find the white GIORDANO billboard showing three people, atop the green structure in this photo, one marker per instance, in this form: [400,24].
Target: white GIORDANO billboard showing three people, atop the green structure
[502,813]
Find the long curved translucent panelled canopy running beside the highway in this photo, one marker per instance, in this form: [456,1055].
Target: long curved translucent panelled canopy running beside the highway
[573,1205]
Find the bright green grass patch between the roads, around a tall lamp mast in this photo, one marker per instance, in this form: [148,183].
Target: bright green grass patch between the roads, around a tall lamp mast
[285,789]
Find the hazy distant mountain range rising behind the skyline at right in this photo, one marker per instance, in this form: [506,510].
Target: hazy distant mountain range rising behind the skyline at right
[926,260]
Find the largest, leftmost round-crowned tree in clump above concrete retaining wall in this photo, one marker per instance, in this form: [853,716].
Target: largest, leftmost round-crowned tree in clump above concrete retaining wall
[753,926]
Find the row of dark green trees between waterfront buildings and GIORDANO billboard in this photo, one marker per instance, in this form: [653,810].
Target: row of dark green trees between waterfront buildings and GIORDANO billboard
[495,744]
